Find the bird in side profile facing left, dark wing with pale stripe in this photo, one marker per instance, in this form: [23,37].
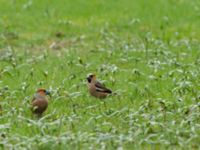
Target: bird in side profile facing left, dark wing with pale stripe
[96,88]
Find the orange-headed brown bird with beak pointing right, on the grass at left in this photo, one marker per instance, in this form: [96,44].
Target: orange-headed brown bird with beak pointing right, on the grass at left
[39,102]
